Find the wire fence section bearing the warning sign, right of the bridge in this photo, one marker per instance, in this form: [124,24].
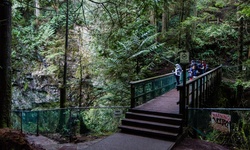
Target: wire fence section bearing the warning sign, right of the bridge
[225,126]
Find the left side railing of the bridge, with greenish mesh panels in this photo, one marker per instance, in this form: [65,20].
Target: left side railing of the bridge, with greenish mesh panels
[147,89]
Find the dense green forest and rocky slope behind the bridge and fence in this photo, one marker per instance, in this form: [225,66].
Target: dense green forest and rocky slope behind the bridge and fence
[85,52]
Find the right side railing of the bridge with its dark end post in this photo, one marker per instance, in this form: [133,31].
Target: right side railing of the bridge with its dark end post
[199,91]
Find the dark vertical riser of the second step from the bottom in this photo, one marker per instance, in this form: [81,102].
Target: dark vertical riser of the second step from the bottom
[152,126]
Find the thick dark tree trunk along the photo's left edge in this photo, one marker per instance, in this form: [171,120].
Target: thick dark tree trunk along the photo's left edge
[5,63]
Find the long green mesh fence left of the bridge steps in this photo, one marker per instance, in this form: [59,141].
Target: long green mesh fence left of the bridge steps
[69,121]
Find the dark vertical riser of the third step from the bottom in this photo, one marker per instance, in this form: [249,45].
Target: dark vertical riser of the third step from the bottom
[153,119]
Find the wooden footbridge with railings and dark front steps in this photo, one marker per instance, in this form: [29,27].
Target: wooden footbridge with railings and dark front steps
[159,109]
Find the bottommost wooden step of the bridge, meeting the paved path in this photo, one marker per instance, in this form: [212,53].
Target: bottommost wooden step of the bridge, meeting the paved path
[149,133]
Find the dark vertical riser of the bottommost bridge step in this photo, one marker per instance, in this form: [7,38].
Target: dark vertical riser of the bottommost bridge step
[151,134]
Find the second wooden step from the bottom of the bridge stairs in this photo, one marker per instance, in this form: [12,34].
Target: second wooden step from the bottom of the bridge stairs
[152,125]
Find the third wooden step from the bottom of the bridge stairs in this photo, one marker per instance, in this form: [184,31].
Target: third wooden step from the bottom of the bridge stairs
[153,118]
